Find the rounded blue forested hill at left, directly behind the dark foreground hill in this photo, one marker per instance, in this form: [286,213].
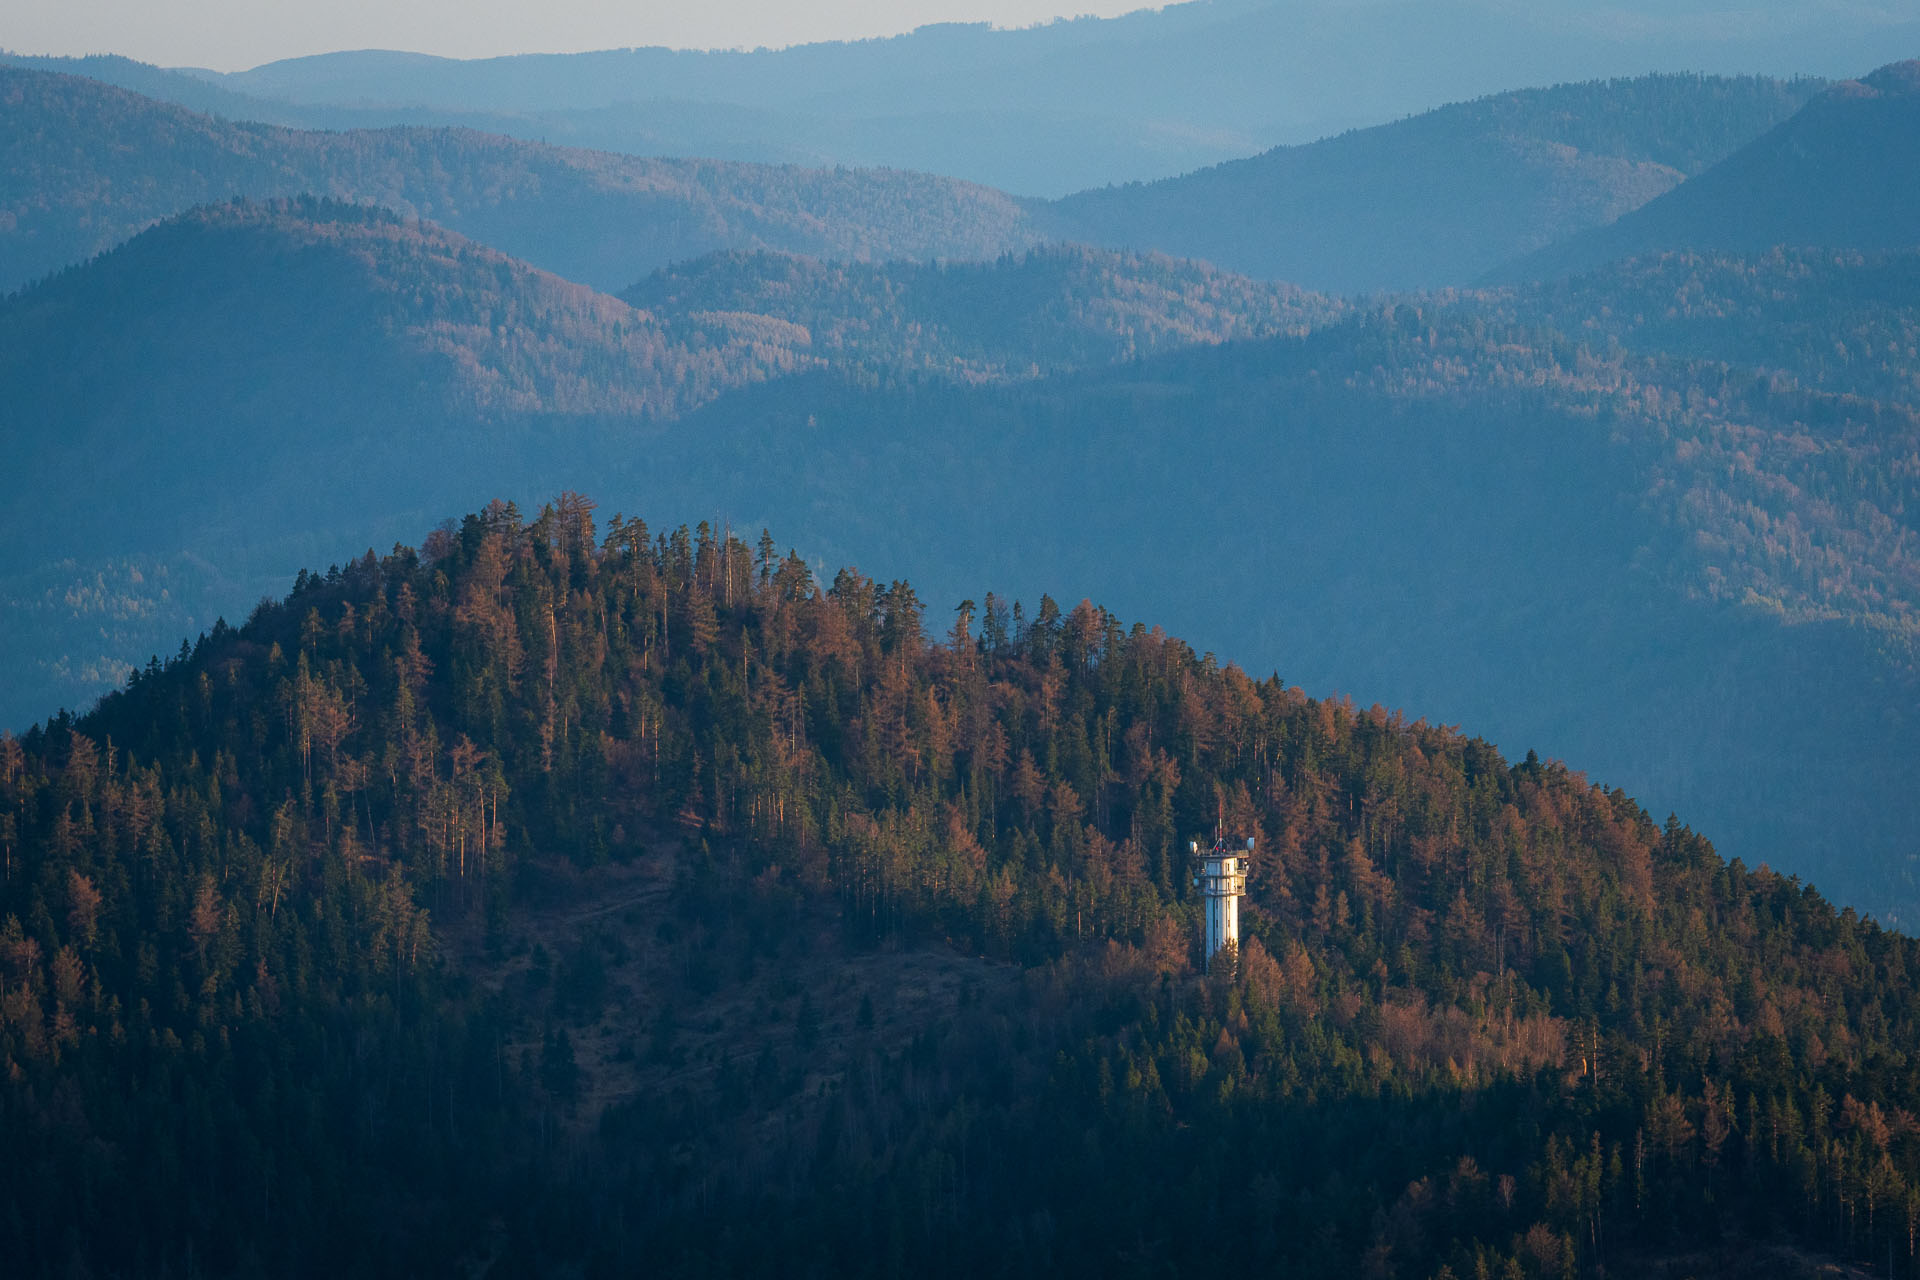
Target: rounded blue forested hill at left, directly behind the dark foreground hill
[302,358]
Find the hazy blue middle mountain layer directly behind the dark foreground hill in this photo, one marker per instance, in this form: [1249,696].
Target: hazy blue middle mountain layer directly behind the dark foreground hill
[1591,506]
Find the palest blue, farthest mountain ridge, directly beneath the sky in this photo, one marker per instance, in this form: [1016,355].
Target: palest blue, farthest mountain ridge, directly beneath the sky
[1141,97]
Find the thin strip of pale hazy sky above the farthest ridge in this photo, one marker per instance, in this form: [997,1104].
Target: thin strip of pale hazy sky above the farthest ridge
[231,36]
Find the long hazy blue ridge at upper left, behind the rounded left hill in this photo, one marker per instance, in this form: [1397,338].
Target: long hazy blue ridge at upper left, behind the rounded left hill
[84,166]
